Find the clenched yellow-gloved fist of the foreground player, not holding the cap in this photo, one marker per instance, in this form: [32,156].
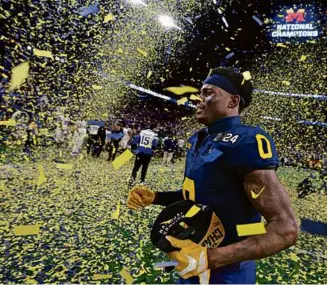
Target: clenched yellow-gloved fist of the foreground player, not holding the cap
[139,197]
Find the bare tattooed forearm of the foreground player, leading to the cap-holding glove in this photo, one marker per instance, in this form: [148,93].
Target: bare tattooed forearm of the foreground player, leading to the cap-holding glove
[277,238]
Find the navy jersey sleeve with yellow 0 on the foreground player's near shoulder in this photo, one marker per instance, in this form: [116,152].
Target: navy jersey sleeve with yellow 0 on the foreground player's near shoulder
[256,151]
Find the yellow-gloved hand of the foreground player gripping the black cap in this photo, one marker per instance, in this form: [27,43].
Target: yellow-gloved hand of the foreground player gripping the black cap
[192,259]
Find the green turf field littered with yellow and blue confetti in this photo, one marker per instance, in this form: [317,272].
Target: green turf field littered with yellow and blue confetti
[78,238]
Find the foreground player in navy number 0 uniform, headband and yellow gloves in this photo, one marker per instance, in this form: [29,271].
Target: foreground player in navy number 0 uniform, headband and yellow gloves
[232,168]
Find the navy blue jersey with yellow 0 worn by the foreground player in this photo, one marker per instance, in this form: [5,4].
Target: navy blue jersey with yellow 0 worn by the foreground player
[218,158]
